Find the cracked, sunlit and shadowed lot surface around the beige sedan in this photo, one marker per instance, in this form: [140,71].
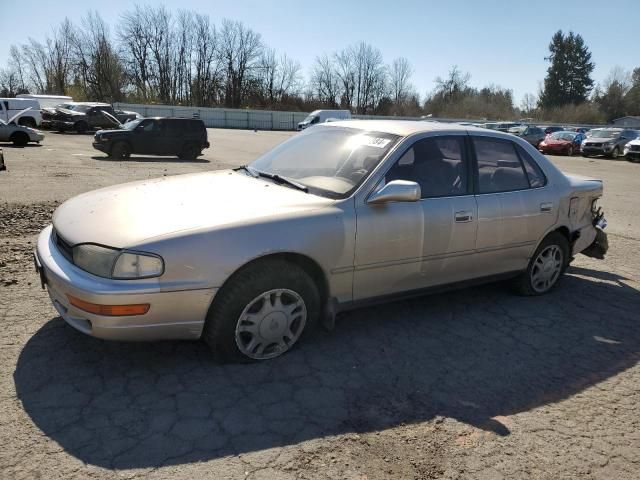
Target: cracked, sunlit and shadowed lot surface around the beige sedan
[472,384]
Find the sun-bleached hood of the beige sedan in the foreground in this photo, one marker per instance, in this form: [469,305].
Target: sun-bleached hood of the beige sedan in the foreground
[127,215]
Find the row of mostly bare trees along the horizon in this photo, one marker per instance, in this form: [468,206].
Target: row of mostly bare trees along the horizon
[153,55]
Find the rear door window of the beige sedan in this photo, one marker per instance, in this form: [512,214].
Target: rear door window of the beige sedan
[499,167]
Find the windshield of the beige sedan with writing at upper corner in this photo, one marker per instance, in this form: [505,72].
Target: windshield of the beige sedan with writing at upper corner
[330,161]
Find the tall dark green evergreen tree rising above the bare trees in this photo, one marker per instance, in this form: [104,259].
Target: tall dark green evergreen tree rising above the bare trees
[568,79]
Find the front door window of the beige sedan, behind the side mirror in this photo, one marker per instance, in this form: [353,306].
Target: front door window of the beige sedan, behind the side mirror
[437,164]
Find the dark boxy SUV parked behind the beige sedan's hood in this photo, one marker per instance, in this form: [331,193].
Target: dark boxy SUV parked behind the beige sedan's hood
[183,137]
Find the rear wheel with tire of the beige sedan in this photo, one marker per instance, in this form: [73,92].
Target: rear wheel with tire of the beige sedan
[547,265]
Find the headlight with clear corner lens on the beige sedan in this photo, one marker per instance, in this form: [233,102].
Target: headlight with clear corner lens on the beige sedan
[117,264]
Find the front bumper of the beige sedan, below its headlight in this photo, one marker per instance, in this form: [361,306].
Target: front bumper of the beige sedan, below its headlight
[174,314]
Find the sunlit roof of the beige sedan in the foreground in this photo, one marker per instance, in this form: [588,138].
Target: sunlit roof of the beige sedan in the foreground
[402,128]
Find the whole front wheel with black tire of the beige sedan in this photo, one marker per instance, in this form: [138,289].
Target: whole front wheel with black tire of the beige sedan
[264,291]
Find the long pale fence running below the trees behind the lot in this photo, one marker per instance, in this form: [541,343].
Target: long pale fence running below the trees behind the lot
[259,119]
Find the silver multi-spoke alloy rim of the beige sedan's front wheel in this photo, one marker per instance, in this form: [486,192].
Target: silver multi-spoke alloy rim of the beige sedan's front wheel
[271,324]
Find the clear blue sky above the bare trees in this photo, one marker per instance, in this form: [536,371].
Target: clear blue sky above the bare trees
[496,41]
